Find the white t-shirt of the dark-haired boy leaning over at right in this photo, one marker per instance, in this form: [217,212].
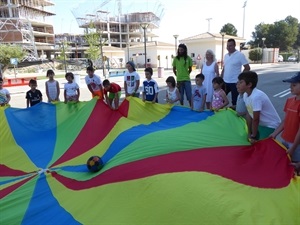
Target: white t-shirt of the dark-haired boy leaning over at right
[259,101]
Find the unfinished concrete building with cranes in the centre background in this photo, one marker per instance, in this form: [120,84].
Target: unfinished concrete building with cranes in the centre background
[120,30]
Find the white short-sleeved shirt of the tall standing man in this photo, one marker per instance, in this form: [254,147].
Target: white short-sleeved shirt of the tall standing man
[233,66]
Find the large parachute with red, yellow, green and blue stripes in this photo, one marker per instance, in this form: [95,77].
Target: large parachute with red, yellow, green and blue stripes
[162,165]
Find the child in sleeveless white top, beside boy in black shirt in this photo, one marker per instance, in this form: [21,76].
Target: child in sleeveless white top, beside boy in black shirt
[52,87]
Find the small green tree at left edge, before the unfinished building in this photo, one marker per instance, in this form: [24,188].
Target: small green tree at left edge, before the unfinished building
[8,51]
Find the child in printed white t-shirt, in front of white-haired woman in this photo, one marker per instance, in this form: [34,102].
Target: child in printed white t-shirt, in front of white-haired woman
[199,94]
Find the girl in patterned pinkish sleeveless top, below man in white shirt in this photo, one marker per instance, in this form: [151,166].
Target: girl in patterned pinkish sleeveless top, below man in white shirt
[220,99]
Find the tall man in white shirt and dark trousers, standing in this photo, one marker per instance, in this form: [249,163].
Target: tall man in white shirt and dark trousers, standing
[233,62]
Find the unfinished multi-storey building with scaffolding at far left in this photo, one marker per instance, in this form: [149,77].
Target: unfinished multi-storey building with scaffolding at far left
[26,22]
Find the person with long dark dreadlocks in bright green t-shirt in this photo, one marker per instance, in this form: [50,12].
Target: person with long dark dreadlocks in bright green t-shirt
[182,67]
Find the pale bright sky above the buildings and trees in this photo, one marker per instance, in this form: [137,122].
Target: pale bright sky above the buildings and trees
[185,18]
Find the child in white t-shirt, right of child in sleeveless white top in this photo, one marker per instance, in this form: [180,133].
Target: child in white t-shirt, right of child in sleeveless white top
[72,91]
